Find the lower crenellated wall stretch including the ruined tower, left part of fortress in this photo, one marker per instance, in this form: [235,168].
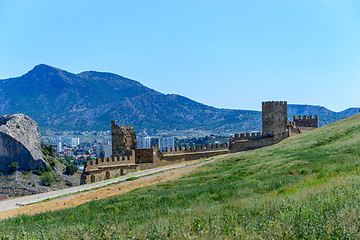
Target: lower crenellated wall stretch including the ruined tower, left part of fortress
[127,157]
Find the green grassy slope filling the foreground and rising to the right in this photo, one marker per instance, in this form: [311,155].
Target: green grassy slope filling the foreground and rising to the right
[305,187]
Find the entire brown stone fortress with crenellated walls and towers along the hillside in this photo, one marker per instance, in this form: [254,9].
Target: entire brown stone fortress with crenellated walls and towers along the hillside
[127,157]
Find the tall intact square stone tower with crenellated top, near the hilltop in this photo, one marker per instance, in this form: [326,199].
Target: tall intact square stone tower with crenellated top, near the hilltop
[274,117]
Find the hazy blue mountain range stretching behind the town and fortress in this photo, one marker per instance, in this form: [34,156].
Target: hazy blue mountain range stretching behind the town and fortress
[57,99]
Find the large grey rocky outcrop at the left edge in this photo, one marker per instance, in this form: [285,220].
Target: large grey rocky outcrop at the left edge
[20,141]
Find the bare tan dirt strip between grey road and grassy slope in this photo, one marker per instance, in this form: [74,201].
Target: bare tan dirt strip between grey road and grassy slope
[105,192]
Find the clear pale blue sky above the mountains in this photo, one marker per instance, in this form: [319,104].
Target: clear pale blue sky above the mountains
[230,54]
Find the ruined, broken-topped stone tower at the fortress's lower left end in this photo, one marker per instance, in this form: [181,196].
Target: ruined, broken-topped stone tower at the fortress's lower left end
[123,140]
